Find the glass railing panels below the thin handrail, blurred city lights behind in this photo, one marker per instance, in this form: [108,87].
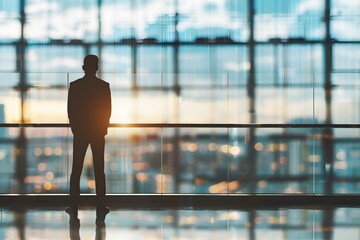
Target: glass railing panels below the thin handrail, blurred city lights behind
[188,159]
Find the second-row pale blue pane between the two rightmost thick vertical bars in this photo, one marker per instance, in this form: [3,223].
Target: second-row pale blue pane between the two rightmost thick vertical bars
[289,65]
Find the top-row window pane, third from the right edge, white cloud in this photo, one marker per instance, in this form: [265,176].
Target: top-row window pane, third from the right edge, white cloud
[213,19]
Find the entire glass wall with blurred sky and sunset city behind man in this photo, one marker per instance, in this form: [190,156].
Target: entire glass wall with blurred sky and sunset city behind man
[285,62]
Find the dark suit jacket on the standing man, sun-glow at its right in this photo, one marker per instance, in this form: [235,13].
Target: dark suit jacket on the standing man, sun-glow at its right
[89,106]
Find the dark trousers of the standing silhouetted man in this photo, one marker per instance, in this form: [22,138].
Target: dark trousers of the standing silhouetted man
[80,145]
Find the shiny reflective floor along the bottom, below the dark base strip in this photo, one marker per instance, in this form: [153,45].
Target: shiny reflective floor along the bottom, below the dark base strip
[31,224]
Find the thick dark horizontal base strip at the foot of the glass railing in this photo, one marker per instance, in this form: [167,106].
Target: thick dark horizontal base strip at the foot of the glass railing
[181,201]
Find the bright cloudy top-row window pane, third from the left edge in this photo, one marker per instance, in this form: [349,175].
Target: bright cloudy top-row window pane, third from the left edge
[144,19]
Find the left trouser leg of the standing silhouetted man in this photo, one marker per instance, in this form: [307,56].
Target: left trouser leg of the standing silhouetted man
[80,145]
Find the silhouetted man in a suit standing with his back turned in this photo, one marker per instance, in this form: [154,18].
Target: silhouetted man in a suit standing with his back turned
[89,111]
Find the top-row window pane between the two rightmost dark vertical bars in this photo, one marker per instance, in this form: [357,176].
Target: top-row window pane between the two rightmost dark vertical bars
[284,19]
